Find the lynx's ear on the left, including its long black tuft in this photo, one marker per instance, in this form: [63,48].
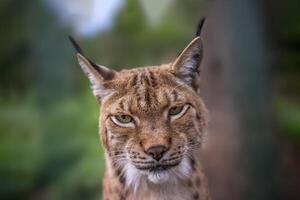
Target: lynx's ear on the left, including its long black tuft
[97,74]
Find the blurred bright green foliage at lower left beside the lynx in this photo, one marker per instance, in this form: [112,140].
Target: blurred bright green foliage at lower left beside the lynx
[55,150]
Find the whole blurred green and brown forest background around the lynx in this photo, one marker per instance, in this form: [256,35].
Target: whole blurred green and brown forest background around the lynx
[49,145]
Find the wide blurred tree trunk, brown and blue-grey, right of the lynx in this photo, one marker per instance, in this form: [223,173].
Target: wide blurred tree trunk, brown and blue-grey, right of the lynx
[240,153]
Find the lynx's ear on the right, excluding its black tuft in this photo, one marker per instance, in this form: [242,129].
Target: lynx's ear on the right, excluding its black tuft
[187,65]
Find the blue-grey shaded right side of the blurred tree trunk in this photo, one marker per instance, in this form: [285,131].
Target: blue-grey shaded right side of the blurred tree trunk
[250,81]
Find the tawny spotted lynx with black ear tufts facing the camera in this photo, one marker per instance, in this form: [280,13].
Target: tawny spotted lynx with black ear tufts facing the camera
[152,125]
